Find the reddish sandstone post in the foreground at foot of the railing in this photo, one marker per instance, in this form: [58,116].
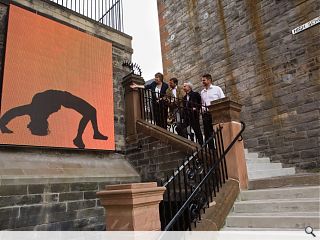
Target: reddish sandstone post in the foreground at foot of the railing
[132,207]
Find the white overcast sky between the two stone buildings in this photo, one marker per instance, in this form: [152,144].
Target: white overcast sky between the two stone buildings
[141,22]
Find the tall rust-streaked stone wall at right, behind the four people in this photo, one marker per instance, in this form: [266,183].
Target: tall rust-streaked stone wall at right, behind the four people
[248,48]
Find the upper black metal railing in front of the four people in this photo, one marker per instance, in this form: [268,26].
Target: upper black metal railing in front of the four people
[175,115]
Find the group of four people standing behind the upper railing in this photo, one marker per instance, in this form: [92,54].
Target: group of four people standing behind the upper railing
[184,104]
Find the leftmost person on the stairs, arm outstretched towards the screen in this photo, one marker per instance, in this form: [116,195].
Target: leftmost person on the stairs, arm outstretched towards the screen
[158,88]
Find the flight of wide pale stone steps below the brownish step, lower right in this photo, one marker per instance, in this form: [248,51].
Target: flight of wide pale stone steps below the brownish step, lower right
[291,208]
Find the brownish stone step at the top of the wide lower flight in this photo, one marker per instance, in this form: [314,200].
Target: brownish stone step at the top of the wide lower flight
[309,179]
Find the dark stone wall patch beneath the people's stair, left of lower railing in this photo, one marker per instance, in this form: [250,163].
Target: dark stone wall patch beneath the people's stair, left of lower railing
[152,159]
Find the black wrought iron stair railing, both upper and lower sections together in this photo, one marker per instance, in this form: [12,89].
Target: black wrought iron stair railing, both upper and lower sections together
[194,183]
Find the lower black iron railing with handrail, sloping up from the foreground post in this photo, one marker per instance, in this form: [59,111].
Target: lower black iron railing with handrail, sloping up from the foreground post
[193,185]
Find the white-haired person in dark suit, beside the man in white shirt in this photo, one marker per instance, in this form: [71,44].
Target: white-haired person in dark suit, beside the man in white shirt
[191,112]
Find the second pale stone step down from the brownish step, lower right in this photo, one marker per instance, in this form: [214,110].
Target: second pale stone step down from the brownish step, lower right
[276,205]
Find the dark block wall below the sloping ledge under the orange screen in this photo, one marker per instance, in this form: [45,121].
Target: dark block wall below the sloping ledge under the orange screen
[51,207]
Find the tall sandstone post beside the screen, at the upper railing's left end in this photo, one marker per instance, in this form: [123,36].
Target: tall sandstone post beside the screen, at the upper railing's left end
[132,105]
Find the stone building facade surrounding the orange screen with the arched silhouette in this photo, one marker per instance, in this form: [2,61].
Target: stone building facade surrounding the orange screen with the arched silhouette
[55,189]
